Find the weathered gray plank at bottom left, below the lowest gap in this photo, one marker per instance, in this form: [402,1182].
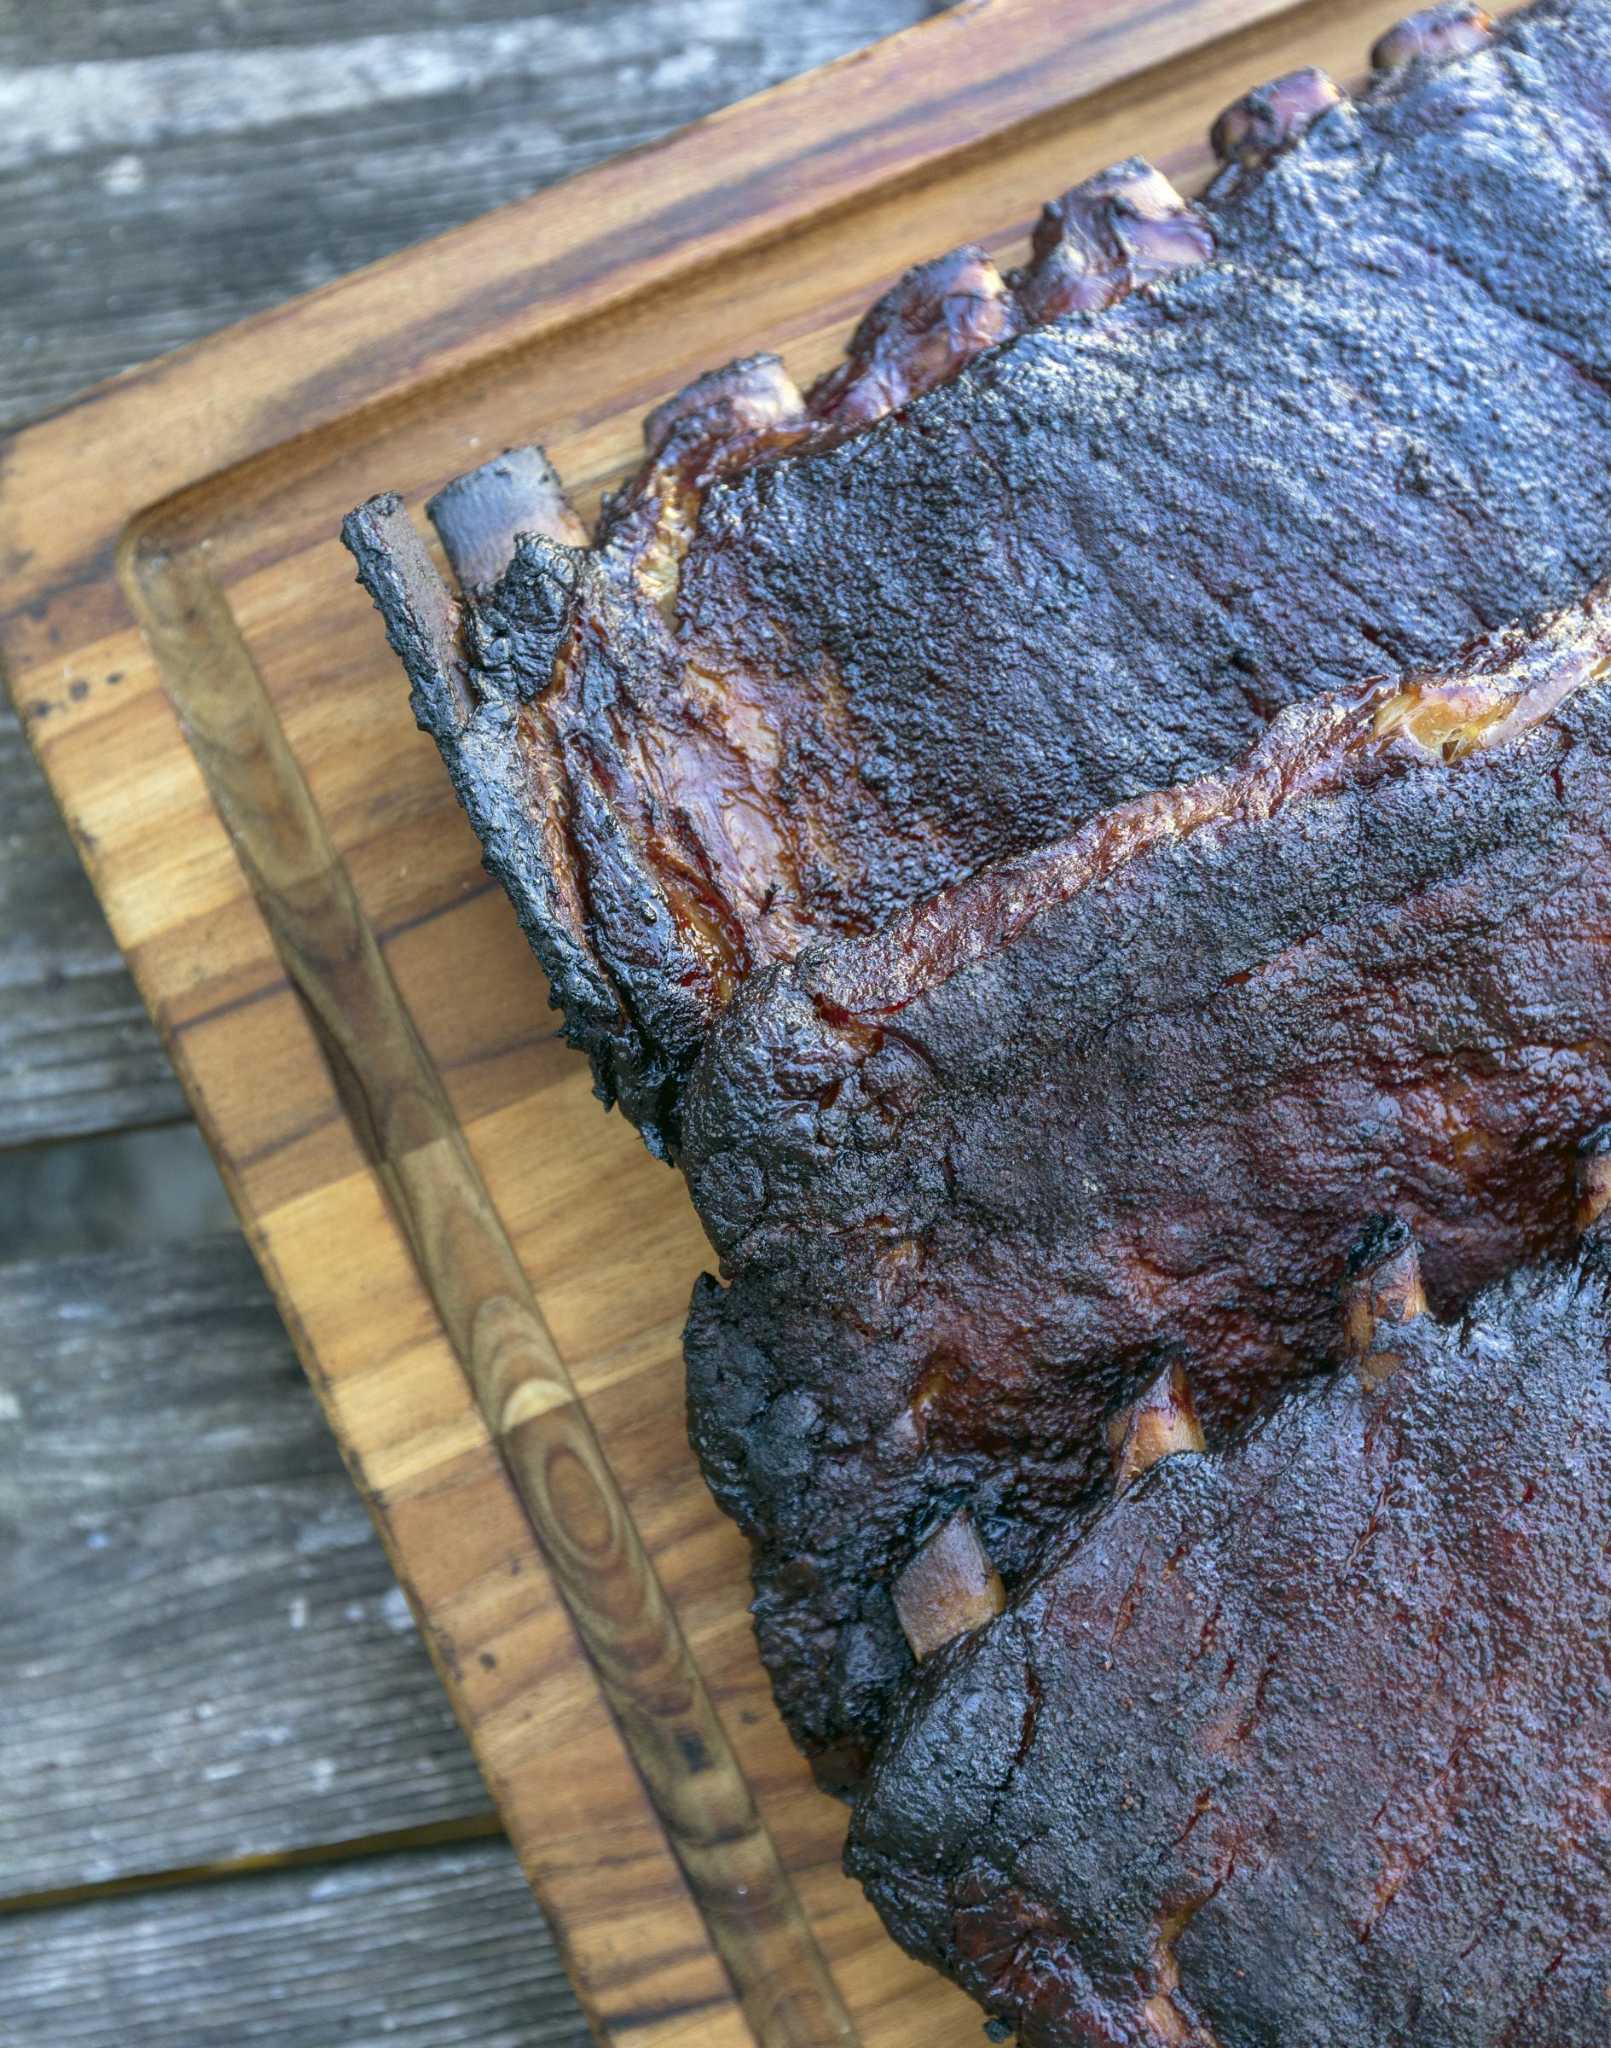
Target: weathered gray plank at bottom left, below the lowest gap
[427,1951]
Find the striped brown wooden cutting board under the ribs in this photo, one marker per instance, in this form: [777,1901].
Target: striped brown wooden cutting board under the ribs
[484,1273]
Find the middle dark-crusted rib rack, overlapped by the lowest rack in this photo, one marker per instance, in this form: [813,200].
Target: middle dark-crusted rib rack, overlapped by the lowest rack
[1143,1089]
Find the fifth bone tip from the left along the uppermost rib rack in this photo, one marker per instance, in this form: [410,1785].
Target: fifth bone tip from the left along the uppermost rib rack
[1100,241]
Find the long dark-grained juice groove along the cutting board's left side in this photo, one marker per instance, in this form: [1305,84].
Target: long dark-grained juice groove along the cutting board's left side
[396,1103]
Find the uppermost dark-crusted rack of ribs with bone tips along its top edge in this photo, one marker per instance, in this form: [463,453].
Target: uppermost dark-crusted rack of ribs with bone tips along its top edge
[1043,544]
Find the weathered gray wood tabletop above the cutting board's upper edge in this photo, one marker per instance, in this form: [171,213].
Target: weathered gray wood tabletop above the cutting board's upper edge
[153,196]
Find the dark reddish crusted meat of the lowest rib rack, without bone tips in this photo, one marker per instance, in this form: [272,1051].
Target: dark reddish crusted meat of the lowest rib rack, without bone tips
[1299,1746]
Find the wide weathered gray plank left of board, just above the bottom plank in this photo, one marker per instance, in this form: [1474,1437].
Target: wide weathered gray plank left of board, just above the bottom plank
[206,1654]
